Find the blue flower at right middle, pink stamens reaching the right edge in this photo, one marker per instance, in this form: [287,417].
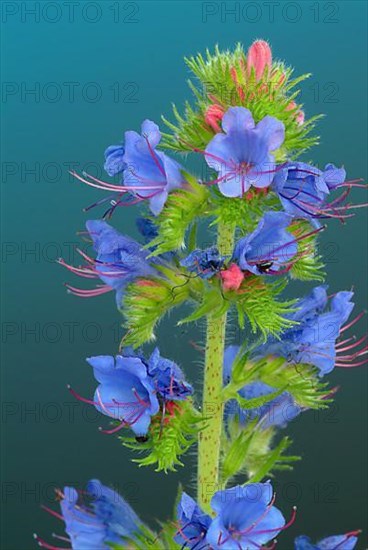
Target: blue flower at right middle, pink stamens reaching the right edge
[313,339]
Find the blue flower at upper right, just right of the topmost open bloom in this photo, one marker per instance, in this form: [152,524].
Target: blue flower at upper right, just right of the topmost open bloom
[303,189]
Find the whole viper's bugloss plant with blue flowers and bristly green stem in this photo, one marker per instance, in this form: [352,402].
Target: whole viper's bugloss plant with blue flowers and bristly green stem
[267,209]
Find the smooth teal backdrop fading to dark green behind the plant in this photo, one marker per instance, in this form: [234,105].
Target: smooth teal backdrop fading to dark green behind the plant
[43,210]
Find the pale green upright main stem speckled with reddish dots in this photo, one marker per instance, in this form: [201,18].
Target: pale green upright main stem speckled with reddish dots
[209,445]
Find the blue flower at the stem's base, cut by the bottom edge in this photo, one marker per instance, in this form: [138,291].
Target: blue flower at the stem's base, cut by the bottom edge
[245,518]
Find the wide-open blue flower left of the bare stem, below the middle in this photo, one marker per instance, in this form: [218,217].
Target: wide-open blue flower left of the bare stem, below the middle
[126,392]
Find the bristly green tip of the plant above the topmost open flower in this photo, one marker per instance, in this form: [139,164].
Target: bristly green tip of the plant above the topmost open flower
[220,77]
